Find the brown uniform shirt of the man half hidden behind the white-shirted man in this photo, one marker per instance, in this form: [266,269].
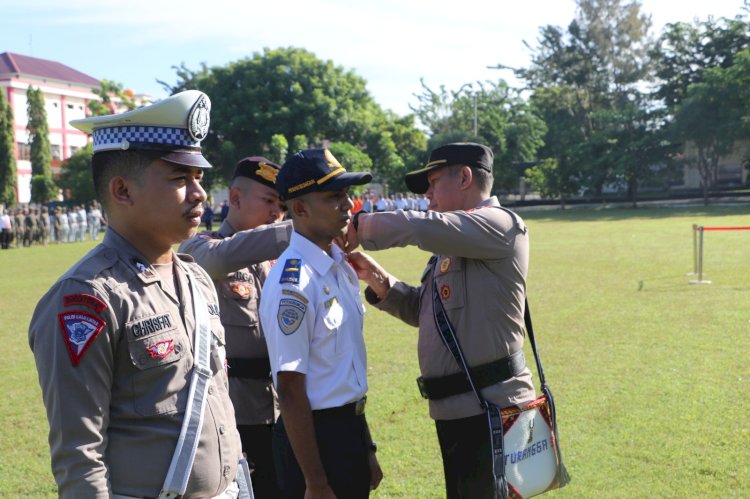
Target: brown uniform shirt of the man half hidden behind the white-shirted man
[238,263]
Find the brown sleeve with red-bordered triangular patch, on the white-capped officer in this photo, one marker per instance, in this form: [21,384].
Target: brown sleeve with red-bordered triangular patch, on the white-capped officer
[72,335]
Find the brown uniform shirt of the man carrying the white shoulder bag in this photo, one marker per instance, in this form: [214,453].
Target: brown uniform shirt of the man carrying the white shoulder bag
[481,270]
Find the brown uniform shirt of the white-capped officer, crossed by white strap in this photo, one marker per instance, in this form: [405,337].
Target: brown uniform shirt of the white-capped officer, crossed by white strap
[113,347]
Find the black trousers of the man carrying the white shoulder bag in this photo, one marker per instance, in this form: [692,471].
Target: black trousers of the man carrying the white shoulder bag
[467,457]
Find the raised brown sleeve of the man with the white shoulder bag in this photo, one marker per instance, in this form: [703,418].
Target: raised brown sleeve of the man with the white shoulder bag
[485,233]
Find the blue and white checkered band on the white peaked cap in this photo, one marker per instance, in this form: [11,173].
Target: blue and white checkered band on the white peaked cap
[120,137]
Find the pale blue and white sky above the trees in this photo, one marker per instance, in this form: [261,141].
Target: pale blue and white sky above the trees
[392,44]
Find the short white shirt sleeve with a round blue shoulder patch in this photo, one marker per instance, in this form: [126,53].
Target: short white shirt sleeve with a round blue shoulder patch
[288,321]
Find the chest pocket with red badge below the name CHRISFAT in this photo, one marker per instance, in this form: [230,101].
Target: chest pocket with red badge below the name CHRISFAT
[159,358]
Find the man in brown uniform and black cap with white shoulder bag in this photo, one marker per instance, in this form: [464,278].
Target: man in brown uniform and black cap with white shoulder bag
[479,266]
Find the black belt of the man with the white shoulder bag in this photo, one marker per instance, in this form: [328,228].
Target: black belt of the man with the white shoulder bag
[484,375]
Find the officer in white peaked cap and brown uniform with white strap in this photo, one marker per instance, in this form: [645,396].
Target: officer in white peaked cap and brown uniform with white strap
[128,343]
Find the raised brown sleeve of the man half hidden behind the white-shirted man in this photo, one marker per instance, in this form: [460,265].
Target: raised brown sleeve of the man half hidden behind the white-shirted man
[221,256]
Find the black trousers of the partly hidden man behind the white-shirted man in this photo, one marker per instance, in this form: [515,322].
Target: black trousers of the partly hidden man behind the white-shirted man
[256,444]
